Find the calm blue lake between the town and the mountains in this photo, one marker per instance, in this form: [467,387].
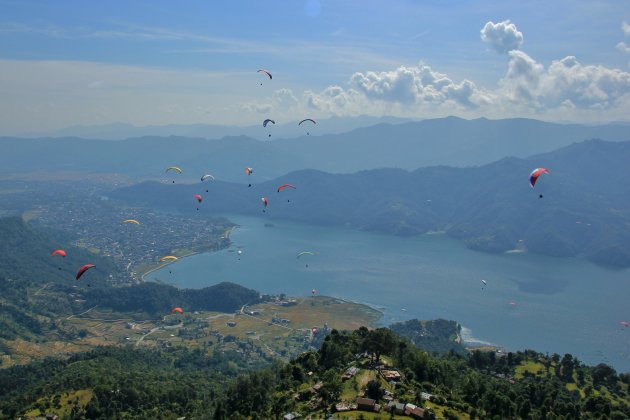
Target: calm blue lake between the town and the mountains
[530,301]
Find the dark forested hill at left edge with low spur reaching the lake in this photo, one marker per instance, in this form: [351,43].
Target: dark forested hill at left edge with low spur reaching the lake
[37,289]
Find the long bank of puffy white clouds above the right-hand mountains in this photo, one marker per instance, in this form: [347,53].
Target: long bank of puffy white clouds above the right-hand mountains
[565,89]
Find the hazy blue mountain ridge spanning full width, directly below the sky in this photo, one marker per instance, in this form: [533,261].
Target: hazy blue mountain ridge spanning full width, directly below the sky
[410,145]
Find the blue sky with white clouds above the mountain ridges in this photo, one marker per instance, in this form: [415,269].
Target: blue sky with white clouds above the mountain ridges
[67,63]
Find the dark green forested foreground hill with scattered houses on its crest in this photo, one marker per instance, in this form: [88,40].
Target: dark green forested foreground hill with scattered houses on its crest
[176,382]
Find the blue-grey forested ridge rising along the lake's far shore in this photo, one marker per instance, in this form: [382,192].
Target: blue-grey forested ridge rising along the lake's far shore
[583,212]
